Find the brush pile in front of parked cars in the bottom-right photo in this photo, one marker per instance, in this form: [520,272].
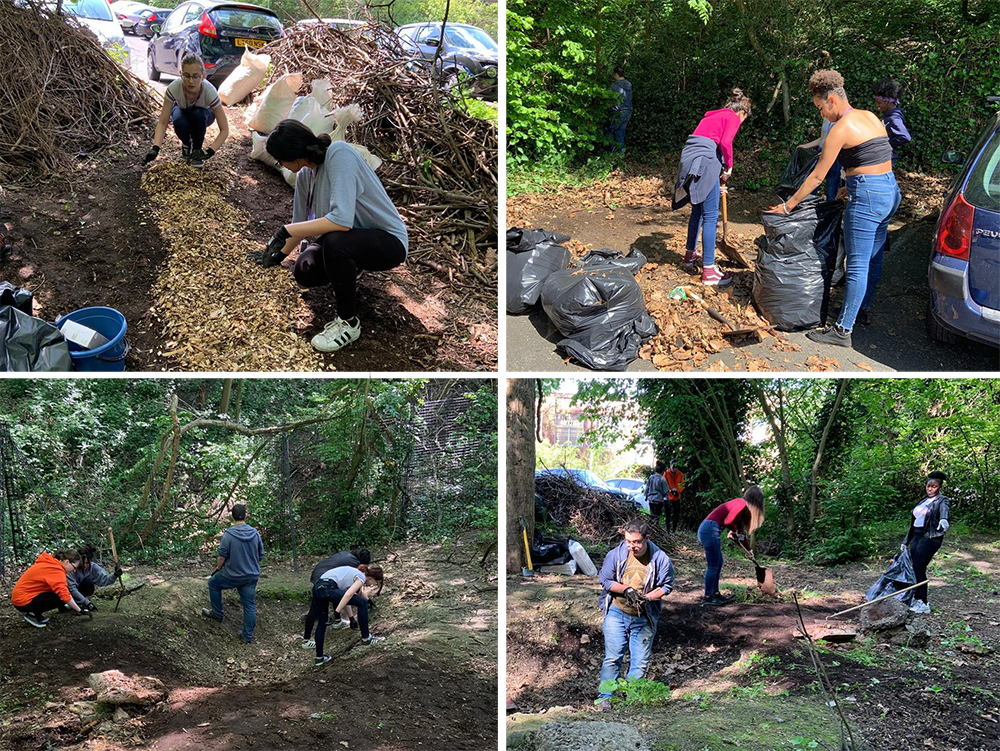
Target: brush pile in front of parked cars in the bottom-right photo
[594,514]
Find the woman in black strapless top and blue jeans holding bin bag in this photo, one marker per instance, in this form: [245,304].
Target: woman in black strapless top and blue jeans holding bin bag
[859,141]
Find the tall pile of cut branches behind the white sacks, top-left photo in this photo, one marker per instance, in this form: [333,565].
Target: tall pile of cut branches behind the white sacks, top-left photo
[440,164]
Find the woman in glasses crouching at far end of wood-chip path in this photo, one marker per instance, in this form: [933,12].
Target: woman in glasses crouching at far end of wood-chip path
[192,103]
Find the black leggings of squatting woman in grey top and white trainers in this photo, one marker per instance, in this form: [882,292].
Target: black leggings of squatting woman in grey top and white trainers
[338,257]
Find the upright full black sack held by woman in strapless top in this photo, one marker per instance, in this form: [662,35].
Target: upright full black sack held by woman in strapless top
[791,281]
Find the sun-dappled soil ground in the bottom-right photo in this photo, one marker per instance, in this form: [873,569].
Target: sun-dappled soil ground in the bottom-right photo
[734,669]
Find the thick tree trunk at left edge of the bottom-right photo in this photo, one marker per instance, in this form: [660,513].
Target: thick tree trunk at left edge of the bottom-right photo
[520,468]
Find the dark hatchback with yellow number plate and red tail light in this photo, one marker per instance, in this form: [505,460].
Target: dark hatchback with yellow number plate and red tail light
[218,32]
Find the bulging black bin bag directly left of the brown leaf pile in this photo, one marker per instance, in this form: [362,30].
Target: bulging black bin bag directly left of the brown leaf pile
[601,312]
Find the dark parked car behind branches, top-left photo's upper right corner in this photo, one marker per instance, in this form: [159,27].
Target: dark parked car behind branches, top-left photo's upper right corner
[465,51]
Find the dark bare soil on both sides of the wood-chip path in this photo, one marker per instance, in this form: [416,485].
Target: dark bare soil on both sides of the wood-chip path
[90,238]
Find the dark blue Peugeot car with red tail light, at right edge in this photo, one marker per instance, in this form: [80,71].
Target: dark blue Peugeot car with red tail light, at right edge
[964,271]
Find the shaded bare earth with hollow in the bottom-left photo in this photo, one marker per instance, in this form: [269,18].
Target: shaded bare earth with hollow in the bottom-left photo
[434,679]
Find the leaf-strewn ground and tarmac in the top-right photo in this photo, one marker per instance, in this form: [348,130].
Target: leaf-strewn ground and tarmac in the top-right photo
[630,208]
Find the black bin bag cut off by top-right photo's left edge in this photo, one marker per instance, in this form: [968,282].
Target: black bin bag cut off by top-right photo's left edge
[532,254]
